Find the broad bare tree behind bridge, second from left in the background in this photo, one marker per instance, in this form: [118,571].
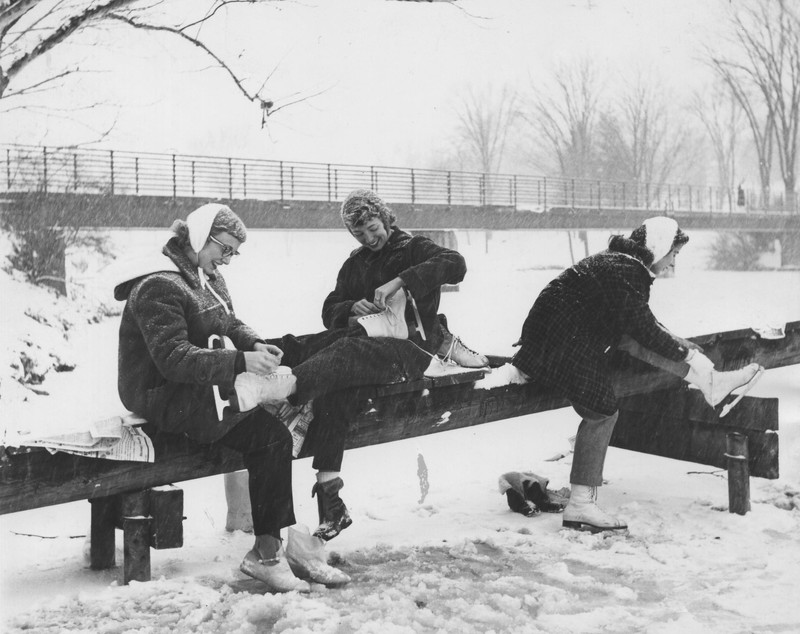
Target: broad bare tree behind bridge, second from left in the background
[563,114]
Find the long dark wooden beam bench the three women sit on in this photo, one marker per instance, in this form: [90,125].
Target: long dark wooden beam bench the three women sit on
[658,415]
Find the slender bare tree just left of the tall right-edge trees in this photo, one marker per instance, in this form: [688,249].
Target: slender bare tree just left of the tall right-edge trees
[723,120]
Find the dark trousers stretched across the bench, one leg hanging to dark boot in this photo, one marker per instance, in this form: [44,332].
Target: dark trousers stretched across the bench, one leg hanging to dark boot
[329,365]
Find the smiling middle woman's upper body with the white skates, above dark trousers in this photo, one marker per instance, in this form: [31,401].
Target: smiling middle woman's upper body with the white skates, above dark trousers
[372,284]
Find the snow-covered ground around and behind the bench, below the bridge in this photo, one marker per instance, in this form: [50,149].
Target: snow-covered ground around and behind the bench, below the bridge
[457,560]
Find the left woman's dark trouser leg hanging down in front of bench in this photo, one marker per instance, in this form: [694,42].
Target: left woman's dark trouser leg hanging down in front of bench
[266,447]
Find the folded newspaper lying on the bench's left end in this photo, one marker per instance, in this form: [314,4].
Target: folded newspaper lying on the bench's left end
[115,438]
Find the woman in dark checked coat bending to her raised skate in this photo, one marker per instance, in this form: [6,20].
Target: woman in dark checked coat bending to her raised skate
[593,308]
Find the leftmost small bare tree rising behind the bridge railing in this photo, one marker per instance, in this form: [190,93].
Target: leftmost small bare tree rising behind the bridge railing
[485,119]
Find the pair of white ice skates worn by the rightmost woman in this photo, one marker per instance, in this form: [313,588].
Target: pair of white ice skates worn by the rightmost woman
[582,511]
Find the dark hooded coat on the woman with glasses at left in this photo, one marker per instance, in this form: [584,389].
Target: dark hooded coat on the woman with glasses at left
[166,371]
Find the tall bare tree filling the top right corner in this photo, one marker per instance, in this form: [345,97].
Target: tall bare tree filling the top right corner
[764,73]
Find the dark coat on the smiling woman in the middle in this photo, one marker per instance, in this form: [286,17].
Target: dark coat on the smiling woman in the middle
[422,265]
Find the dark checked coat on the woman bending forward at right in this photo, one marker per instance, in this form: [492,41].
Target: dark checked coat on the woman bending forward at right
[579,319]
